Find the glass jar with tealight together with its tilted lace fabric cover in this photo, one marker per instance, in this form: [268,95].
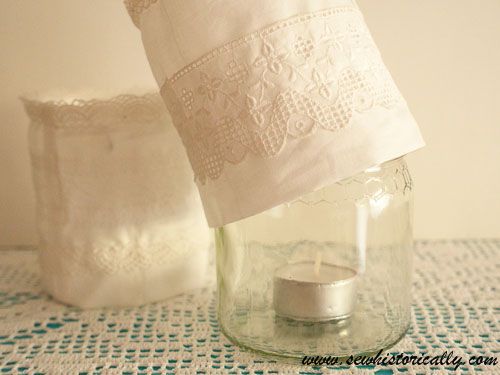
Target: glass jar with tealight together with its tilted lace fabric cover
[274,100]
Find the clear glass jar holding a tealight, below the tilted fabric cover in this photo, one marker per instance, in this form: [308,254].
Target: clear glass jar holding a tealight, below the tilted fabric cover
[327,274]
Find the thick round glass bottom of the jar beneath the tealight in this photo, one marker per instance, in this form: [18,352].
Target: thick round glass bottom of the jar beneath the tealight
[284,337]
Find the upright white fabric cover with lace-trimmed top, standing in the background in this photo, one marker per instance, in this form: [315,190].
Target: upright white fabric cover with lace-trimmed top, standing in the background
[120,221]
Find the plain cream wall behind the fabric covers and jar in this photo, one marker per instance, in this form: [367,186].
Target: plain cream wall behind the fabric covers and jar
[444,55]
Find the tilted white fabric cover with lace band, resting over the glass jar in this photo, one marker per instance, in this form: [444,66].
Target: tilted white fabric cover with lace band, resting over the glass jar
[272,99]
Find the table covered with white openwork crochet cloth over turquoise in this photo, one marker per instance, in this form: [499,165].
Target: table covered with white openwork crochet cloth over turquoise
[456,307]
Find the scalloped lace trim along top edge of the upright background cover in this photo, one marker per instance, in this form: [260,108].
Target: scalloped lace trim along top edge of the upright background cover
[99,114]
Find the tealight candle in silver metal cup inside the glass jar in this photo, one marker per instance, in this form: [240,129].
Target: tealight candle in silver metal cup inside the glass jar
[310,292]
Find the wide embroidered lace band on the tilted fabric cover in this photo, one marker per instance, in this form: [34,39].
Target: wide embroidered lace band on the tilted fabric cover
[287,81]
